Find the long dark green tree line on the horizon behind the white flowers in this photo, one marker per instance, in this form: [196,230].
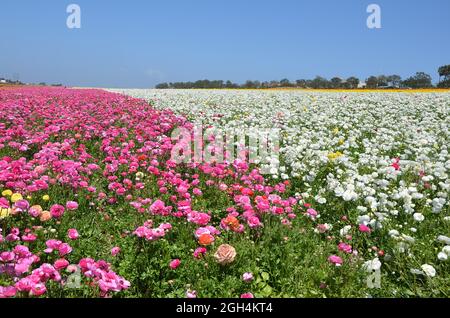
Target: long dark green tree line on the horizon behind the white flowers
[419,80]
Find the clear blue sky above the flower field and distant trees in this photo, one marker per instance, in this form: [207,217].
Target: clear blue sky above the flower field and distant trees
[140,43]
